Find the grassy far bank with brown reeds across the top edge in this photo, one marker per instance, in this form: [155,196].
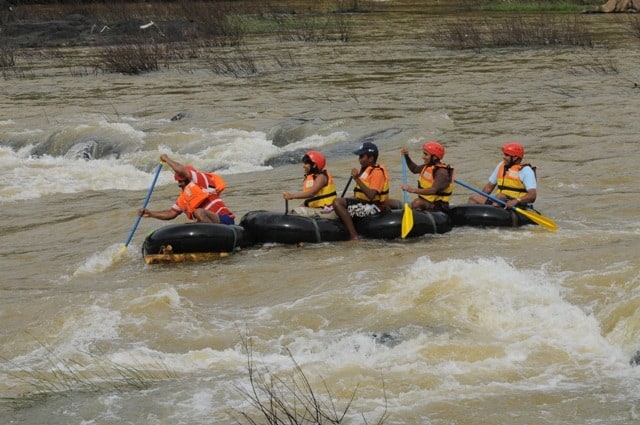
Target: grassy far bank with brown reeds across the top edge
[136,37]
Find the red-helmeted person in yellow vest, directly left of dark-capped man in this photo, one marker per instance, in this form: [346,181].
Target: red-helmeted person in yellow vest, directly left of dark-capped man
[318,189]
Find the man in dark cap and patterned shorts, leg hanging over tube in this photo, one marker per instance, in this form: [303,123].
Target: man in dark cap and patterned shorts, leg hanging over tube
[370,193]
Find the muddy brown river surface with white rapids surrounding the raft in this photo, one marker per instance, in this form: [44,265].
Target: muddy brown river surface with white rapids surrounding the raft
[475,326]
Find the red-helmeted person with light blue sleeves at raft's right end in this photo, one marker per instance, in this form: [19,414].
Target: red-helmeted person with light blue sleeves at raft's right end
[516,181]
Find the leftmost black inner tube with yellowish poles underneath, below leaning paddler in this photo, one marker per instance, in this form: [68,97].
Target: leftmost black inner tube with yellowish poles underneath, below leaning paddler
[192,242]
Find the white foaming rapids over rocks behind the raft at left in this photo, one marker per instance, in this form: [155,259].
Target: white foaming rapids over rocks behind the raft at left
[74,170]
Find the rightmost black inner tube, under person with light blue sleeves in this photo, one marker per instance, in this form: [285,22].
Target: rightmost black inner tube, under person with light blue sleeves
[486,216]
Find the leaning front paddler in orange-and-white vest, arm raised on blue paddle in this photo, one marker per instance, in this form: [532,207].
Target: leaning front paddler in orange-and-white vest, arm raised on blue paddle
[199,199]
